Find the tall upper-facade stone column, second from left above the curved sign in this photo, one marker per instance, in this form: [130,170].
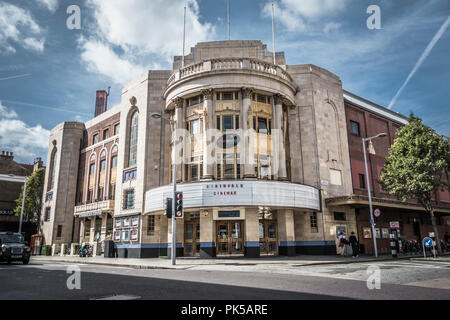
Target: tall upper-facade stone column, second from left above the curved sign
[208,125]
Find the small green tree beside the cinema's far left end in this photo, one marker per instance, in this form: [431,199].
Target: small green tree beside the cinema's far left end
[33,197]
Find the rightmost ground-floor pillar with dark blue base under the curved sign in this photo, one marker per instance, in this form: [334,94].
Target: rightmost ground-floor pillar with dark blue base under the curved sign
[286,232]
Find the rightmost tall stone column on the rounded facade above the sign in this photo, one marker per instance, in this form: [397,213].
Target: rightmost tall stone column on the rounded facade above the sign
[278,137]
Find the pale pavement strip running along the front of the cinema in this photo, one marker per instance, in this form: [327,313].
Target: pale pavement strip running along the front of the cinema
[268,262]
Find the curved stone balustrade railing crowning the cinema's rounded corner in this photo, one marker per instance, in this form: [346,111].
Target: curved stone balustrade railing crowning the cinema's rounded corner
[229,64]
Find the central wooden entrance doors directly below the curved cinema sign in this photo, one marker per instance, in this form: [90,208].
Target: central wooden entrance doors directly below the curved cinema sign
[230,238]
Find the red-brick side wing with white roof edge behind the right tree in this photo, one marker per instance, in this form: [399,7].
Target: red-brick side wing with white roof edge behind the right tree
[366,119]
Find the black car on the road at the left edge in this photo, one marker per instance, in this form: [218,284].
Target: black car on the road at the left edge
[13,248]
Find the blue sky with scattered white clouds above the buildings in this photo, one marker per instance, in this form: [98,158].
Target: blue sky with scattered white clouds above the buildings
[50,73]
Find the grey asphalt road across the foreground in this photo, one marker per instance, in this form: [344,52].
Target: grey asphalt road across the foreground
[399,280]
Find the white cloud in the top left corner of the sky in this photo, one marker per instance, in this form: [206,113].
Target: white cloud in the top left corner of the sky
[17,27]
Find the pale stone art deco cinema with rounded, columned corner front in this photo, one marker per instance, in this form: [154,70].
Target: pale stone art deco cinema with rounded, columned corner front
[260,147]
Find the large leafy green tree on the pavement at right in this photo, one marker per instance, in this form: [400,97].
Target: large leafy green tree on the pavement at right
[417,166]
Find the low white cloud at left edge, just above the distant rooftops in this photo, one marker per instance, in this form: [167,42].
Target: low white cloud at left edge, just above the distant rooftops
[25,141]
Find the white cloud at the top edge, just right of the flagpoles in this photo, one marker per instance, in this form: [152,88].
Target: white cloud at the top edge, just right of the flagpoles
[293,14]
